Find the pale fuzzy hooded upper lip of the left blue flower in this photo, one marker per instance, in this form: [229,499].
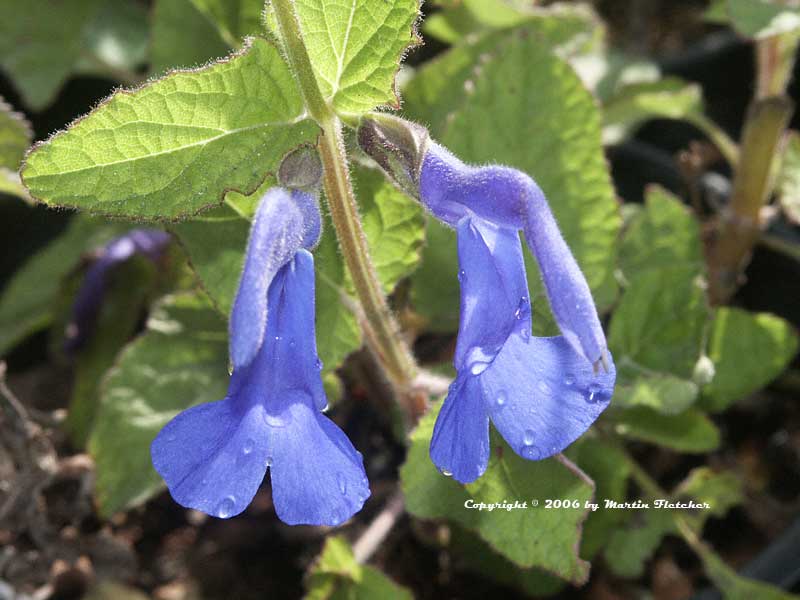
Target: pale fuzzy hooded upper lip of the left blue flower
[276,234]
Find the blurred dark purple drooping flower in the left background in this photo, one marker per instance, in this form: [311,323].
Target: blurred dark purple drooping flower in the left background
[150,243]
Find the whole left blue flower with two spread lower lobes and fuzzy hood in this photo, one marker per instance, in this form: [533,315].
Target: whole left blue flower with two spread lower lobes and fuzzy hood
[214,456]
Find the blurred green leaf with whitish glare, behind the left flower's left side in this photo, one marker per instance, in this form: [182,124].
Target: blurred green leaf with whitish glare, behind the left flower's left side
[180,361]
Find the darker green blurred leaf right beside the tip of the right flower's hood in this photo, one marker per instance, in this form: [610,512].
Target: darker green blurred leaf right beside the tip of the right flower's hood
[660,322]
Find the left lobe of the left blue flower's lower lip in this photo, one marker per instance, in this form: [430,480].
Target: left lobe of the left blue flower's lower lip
[213,456]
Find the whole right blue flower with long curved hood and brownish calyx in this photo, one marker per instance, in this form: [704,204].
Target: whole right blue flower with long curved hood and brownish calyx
[540,393]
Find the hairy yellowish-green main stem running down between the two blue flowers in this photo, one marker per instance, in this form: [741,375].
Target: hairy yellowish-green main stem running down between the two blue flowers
[381,330]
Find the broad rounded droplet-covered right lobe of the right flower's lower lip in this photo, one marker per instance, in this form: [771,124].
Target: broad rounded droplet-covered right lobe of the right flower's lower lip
[542,395]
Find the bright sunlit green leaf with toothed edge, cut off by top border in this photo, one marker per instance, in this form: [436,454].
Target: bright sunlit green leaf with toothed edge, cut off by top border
[355,47]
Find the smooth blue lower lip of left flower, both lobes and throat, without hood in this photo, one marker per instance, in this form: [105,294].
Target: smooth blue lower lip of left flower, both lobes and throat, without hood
[214,456]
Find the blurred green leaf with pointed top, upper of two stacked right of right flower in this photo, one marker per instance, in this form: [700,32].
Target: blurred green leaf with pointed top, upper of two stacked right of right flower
[663,235]
